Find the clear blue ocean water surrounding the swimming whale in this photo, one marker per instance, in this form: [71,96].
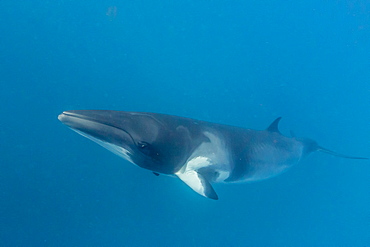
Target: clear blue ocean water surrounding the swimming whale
[241,63]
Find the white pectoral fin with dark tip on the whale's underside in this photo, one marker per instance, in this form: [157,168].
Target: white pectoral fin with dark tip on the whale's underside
[198,183]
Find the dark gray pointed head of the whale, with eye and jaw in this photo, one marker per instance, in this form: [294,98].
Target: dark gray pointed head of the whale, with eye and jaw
[145,139]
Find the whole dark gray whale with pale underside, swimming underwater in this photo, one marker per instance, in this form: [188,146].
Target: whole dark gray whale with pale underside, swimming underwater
[197,152]
